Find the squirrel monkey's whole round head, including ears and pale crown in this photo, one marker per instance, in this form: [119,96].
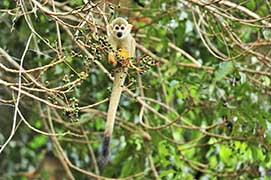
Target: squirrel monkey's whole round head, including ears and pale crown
[120,28]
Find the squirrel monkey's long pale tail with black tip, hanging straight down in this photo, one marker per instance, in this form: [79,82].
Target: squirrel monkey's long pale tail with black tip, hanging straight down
[119,79]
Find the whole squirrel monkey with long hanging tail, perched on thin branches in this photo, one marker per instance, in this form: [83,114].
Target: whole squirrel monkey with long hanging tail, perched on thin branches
[123,44]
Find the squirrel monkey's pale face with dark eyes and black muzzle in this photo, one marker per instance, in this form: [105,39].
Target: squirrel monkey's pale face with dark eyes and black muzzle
[121,31]
